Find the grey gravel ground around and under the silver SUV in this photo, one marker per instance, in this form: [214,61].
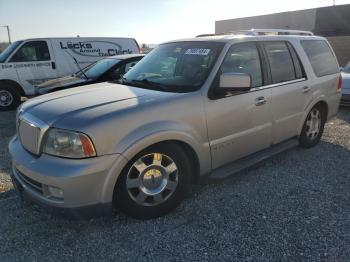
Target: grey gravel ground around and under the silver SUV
[293,207]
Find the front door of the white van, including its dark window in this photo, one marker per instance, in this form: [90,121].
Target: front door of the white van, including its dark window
[34,63]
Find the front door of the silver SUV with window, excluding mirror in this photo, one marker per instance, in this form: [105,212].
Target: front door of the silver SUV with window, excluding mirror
[239,123]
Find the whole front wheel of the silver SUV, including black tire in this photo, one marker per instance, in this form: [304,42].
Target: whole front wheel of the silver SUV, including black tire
[154,182]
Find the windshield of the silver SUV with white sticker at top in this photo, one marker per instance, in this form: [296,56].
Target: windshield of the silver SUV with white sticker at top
[175,67]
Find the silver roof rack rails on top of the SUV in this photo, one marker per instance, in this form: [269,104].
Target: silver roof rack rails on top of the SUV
[262,32]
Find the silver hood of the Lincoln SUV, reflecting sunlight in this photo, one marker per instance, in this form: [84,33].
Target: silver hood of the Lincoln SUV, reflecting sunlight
[93,101]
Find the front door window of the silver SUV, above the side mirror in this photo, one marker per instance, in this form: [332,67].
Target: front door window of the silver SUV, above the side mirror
[243,58]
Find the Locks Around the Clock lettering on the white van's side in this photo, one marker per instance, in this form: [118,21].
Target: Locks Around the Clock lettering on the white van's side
[94,48]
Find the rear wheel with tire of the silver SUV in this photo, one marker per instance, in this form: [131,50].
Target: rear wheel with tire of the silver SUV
[313,127]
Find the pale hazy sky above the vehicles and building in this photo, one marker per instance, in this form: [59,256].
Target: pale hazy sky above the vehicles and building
[152,21]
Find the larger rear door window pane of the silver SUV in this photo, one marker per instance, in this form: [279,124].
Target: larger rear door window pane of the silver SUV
[280,60]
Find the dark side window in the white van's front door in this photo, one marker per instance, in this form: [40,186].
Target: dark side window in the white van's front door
[32,51]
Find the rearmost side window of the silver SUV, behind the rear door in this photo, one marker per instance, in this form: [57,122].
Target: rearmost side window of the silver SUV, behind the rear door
[321,57]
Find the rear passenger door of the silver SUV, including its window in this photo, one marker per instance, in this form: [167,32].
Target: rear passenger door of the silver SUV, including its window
[290,90]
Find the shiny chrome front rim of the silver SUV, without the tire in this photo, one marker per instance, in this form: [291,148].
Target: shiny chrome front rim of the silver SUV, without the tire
[152,179]
